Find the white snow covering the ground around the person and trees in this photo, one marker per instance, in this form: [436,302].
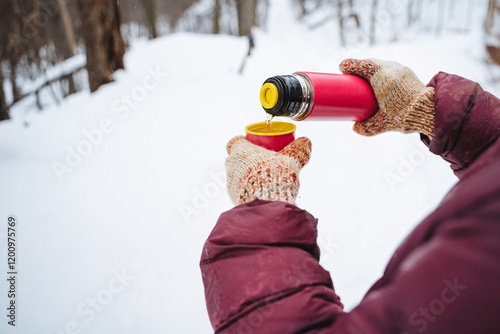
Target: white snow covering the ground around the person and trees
[116,192]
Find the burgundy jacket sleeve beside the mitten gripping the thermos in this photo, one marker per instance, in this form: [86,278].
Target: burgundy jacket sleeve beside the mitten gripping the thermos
[466,123]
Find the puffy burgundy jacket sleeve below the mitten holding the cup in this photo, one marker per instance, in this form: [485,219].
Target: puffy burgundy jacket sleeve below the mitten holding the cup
[261,272]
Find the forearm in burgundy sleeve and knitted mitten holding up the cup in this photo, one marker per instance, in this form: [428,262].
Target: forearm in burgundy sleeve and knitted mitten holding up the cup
[260,263]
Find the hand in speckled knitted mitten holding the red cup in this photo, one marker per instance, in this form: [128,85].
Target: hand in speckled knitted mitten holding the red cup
[254,172]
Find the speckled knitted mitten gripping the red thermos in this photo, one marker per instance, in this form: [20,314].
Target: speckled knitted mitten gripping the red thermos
[405,104]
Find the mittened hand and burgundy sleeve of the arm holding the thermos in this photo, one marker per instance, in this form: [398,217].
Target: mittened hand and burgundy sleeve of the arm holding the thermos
[455,117]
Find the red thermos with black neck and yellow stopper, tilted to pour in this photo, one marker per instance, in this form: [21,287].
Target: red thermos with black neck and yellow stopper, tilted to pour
[318,96]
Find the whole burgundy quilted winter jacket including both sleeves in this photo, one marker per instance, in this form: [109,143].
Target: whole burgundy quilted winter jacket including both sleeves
[260,263]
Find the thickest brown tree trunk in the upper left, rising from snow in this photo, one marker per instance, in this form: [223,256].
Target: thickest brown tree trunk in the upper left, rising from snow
[104,45]
